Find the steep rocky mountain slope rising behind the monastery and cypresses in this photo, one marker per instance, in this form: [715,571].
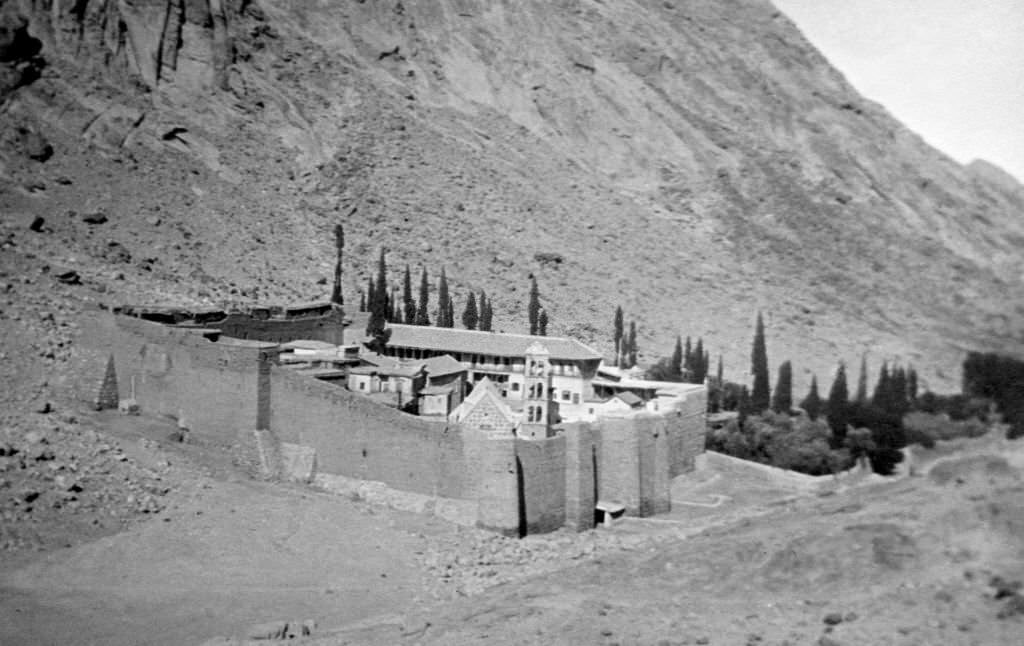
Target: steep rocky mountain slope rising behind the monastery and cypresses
[694,162]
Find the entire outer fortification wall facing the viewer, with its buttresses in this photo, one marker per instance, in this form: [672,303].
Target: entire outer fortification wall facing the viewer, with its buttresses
[232,393]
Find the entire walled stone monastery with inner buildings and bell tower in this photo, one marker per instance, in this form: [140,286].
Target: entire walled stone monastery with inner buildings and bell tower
[515,434]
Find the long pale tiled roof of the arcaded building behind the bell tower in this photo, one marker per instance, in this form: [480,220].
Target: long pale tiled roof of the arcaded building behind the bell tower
[476,342]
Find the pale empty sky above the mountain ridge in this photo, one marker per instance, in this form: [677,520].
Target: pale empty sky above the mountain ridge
[953,71]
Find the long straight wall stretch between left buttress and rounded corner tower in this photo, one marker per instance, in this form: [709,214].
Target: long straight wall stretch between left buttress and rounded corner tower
[359,439]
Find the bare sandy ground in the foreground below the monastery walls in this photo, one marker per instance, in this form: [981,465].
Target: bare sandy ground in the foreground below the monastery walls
[912,562]
